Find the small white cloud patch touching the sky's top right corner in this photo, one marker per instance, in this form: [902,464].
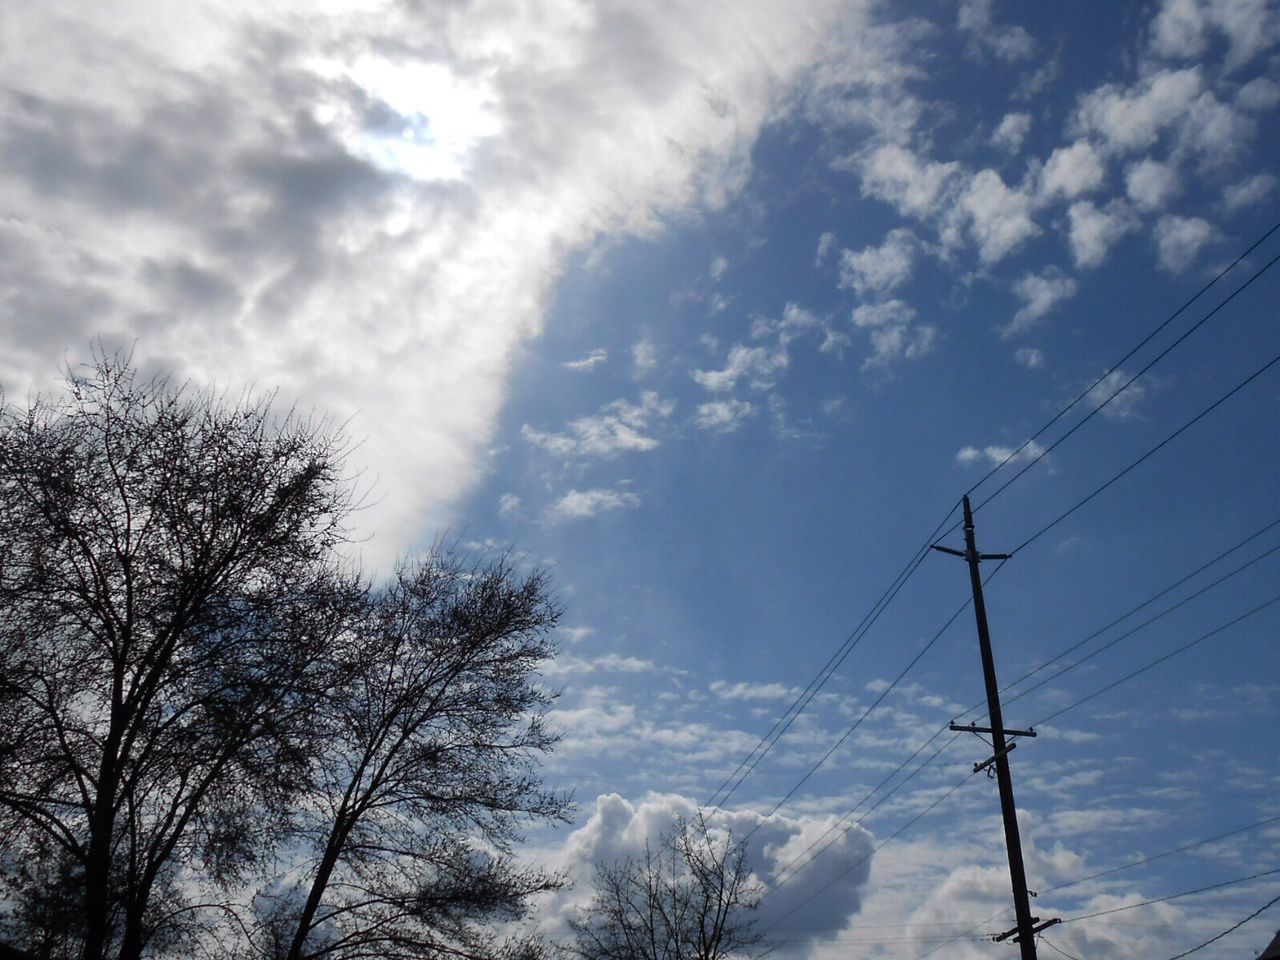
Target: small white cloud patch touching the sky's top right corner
[1185,29]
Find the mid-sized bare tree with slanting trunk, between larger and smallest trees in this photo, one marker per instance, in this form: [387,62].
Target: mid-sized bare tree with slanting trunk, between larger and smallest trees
[428,769]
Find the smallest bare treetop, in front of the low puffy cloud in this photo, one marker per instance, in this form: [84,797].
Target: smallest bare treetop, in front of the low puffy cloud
[688,899]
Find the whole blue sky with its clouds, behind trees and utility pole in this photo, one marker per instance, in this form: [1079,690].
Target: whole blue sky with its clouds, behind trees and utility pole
[716,310]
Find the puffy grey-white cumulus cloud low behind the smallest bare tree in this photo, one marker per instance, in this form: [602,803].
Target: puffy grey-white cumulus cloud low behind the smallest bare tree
[815,902]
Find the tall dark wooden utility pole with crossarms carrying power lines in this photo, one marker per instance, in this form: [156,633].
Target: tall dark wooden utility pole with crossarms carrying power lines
[1025,934]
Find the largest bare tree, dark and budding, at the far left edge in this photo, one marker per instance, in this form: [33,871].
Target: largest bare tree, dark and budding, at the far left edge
[168,596]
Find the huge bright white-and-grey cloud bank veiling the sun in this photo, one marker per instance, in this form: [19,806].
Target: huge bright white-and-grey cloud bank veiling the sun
[365,205]
